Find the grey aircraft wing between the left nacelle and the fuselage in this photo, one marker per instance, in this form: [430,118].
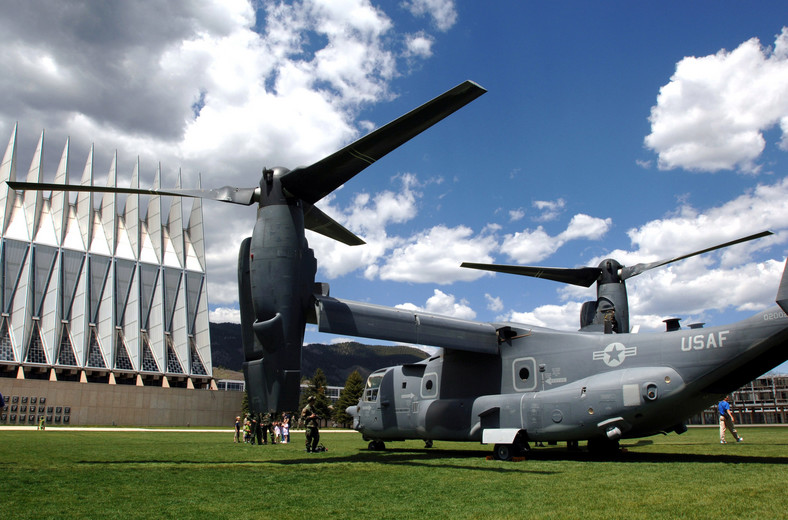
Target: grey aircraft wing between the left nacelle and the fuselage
[387,323]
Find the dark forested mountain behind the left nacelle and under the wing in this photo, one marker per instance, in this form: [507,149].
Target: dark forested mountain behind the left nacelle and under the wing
[337,361]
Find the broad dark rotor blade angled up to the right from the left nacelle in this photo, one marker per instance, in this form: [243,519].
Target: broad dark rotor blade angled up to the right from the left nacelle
[312,183]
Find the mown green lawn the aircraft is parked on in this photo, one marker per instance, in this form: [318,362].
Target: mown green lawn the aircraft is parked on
[90,474]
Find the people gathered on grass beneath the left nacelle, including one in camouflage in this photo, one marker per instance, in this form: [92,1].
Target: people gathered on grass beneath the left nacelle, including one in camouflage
[258,427]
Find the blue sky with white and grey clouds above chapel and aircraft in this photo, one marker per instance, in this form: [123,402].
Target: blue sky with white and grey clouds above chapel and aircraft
[630,130]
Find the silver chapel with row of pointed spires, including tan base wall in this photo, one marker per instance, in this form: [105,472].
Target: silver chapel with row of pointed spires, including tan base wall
[102,288]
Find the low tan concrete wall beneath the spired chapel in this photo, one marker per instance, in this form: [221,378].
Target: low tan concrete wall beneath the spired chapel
[96,404]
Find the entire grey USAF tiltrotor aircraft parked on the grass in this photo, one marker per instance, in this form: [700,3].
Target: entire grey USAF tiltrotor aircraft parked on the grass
[505,384]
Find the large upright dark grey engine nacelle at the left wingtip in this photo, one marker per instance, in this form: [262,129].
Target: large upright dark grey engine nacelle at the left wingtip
[276,271]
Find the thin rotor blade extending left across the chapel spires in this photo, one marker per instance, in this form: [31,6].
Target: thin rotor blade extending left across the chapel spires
[243,196]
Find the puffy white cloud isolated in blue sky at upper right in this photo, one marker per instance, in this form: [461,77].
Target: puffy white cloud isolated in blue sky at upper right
[712,114]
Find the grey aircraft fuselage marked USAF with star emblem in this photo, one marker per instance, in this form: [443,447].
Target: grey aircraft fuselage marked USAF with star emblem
[568,386]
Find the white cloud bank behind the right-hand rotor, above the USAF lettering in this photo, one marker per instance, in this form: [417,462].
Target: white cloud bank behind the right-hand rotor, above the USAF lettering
[696,289]
